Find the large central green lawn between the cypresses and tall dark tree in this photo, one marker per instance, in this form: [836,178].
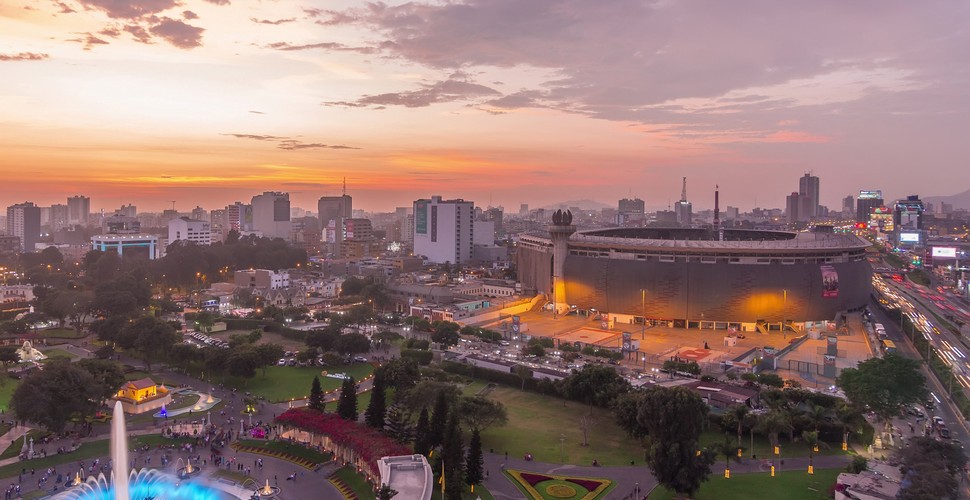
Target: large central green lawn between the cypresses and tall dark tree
[537,422]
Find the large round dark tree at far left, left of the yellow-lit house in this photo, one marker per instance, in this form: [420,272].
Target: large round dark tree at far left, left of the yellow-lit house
[50,397]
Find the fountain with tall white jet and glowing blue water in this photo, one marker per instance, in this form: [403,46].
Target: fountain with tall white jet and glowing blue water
[137,484]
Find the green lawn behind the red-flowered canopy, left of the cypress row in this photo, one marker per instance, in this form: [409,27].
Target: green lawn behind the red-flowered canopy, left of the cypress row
[282,383]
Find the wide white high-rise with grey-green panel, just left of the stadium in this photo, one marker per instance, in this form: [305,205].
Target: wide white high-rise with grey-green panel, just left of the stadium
[443,229]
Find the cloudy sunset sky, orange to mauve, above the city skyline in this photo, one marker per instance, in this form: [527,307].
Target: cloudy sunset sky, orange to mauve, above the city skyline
[206,102]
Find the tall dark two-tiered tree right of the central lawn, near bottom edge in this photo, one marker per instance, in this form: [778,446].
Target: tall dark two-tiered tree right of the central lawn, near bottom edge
[674,419]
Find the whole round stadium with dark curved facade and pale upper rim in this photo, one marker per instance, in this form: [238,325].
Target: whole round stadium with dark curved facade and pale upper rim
[685,276]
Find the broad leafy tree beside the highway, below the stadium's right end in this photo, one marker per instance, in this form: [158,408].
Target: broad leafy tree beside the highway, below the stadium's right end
[884,384]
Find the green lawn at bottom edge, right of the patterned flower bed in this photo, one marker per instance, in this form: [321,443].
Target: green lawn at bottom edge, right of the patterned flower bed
[790,485]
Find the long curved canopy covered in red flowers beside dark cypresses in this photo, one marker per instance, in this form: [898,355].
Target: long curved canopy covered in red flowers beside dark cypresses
[367,442]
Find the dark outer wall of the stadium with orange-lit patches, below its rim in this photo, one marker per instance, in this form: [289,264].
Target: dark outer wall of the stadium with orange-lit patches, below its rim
[705,287]
